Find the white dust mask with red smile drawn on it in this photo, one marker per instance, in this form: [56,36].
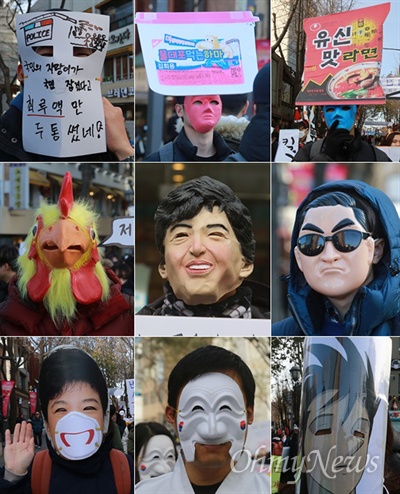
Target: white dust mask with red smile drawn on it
[77,436]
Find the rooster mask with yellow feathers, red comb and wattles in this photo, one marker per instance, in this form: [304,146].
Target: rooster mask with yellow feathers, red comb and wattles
[61,265]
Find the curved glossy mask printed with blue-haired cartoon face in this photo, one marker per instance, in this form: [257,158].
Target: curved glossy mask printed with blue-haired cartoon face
[343,415]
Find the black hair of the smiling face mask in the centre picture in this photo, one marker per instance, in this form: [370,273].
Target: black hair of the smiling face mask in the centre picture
[186,201]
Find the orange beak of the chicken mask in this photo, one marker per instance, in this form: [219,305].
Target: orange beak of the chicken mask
[63,244]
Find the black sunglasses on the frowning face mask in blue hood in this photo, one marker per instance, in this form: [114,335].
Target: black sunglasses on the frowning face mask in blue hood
[313,244]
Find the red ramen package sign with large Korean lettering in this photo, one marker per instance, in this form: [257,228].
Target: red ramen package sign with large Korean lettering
[343,57]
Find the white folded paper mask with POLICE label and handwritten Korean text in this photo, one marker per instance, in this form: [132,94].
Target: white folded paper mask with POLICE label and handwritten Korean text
[62,57]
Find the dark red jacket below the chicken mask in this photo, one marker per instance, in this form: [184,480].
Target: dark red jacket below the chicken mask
[26,318]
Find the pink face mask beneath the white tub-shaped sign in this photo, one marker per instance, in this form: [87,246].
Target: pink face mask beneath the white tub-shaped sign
[204,112]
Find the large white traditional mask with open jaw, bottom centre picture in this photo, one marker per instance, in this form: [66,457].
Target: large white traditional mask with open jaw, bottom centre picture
[211,410]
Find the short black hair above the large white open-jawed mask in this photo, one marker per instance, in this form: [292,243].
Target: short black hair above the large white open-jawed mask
[206,359]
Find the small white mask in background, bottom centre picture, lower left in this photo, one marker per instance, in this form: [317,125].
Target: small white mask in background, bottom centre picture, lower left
[157,458]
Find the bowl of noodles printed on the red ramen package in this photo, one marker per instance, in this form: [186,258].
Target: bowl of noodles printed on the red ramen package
[359,81]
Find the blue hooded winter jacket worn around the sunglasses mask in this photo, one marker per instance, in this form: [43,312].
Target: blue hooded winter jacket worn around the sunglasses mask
[375,310]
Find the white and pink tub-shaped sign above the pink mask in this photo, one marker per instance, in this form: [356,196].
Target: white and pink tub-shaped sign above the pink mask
[188,53]
